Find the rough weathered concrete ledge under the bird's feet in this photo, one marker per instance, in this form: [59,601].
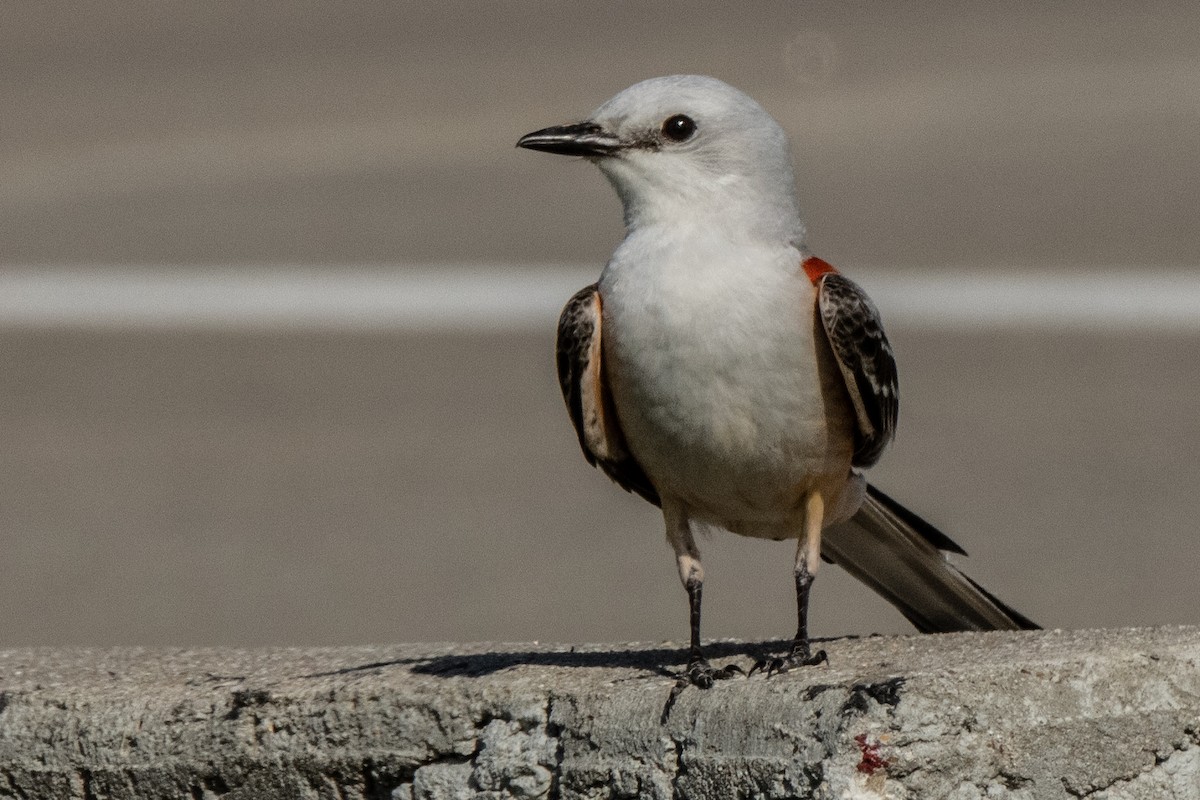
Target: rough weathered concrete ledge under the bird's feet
[1100,714]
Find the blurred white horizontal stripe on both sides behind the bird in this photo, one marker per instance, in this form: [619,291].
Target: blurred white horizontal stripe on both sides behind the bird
[527,298]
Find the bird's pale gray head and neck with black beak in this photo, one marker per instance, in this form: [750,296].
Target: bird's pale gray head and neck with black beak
[688,148]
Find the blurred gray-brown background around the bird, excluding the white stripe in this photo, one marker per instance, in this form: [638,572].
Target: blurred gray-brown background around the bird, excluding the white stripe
[285,485]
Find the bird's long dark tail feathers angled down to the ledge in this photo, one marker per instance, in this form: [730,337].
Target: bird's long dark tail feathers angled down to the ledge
[899,556]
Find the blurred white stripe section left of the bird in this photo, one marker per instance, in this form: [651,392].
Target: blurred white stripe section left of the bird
[302,298]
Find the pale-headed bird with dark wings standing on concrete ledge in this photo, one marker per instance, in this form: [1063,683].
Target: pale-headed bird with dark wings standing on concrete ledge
[727,375]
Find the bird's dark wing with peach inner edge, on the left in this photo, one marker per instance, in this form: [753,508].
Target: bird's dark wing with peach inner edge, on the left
[583,380]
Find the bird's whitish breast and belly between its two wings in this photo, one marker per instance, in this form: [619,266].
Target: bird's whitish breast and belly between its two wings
[722,378]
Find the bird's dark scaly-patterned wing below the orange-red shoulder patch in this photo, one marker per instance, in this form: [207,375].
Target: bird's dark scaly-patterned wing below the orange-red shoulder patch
[856,336]
